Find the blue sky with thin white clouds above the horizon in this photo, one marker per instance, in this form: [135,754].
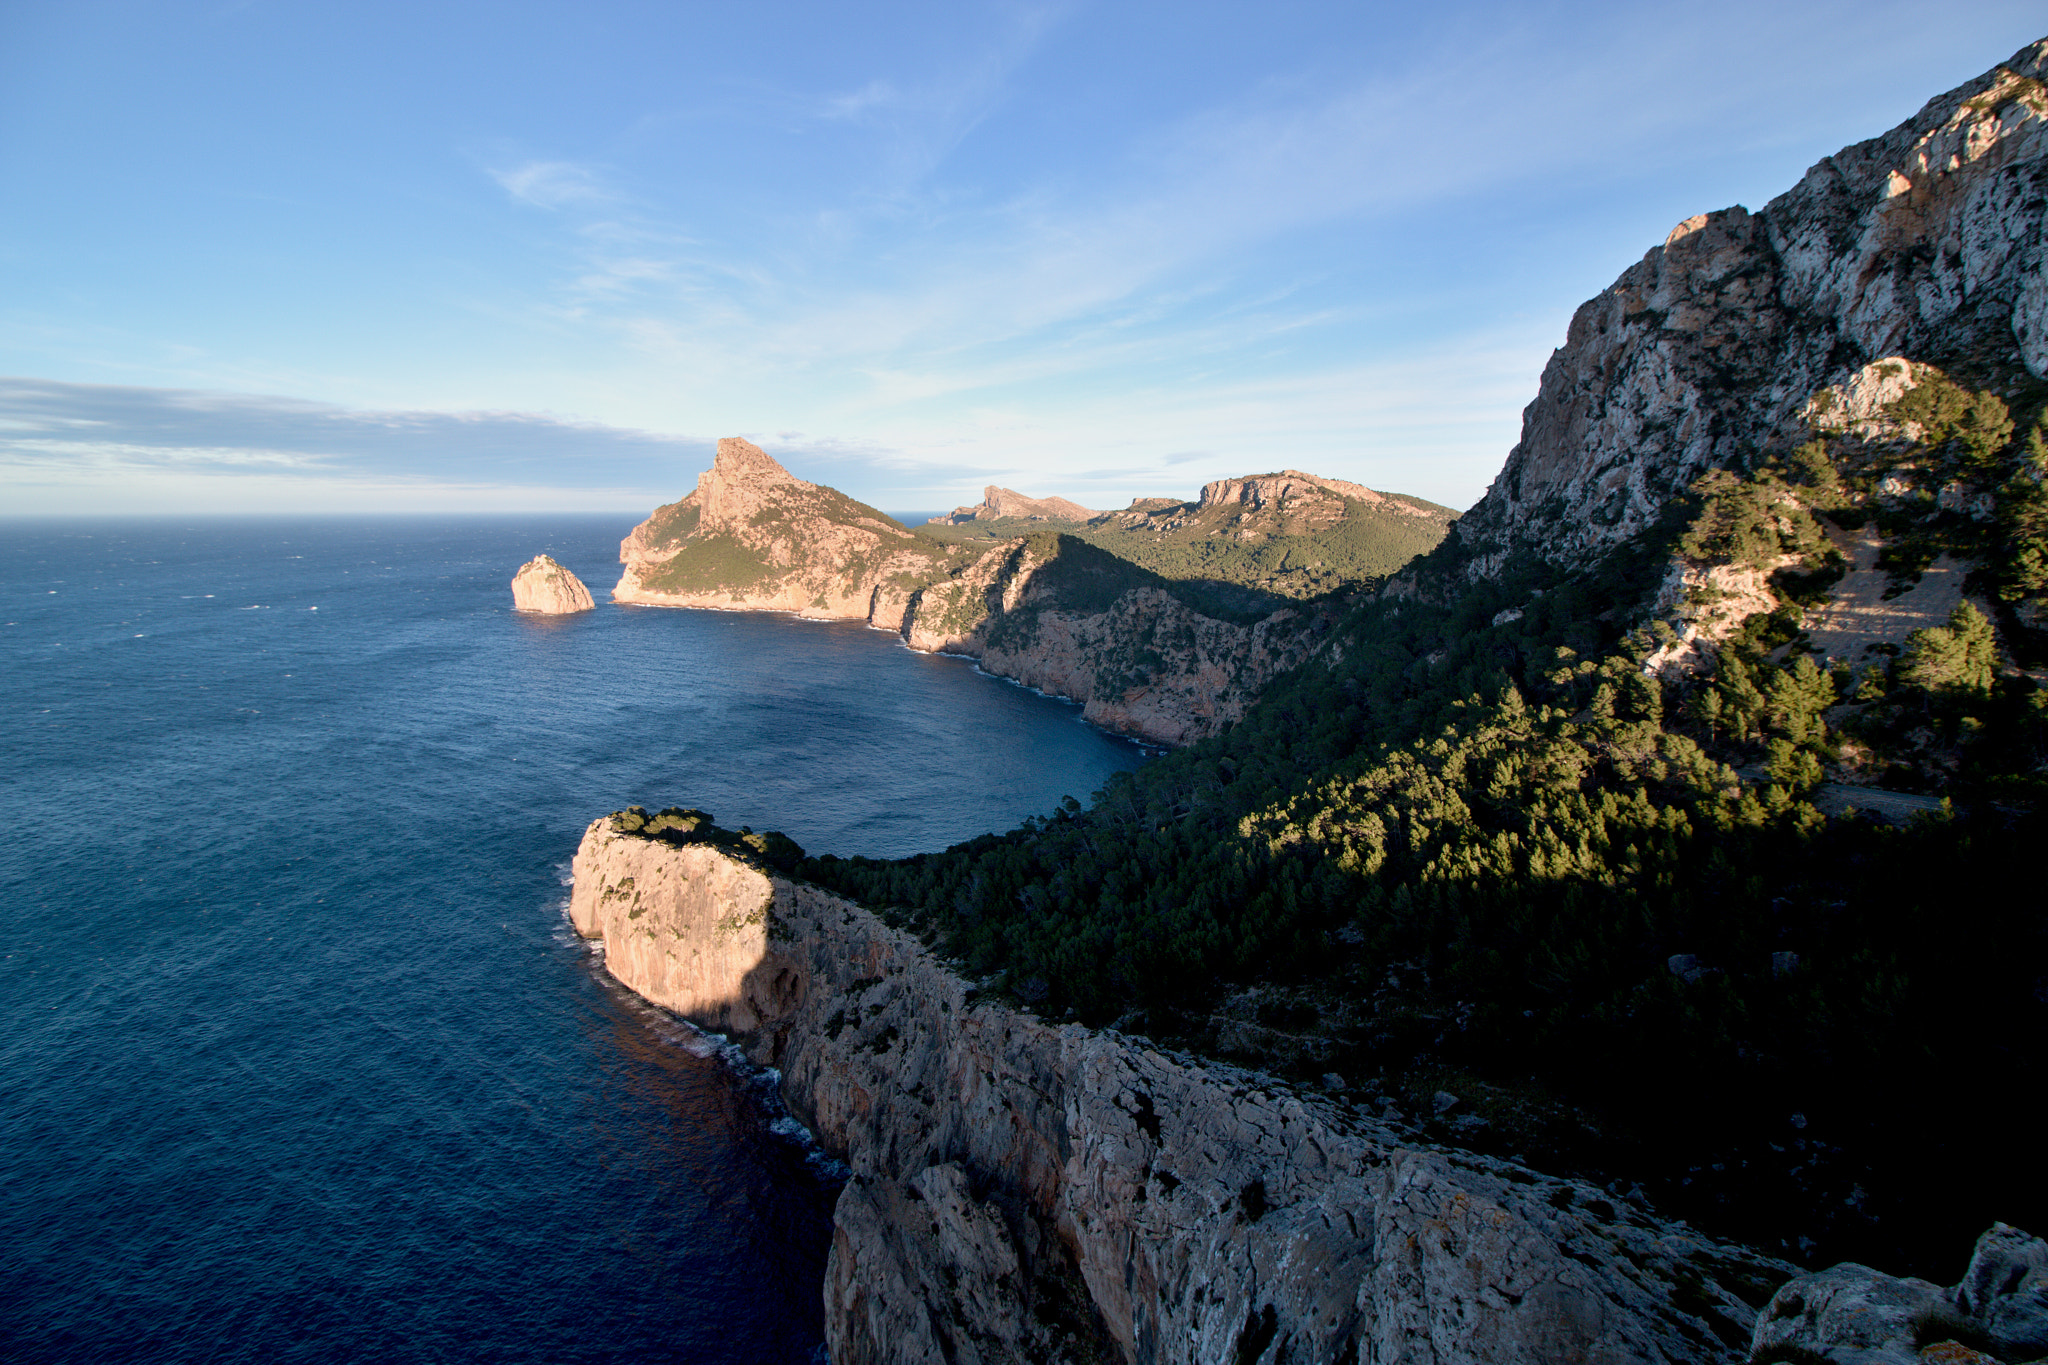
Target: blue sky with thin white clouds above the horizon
[298,257]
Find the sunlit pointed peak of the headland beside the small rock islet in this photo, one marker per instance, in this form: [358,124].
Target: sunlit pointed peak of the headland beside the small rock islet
[755,537]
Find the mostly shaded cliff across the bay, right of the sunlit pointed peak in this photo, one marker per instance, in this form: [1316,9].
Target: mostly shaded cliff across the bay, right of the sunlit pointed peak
[1140,660]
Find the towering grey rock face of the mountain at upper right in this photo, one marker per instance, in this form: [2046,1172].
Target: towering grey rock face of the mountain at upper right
[1926,243]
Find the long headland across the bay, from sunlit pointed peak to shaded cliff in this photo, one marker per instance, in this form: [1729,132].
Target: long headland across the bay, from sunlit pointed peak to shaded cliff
[1144,654]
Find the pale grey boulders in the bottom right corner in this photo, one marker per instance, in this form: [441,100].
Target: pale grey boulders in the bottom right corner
[1863,1317]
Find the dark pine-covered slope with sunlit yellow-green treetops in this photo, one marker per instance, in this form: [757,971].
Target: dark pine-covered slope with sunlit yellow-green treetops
[1478,852]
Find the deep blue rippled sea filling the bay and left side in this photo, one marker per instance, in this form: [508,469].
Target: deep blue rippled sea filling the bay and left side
[302,1061]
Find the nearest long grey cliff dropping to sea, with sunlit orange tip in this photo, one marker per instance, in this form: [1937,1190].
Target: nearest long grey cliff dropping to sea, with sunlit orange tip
[1025,1192]
